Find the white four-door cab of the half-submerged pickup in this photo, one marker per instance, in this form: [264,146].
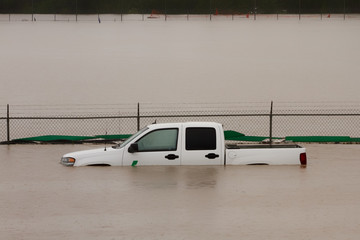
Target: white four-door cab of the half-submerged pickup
[177,144]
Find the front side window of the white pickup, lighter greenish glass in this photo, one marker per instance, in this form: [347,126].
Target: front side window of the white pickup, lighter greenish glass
[159,140]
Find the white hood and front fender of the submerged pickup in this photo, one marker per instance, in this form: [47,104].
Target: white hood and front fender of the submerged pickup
[111,156]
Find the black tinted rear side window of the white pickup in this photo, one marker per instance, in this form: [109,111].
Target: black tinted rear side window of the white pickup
[200,139]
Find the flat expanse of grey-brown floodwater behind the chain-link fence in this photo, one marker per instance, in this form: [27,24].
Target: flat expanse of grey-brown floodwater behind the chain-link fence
[179,61]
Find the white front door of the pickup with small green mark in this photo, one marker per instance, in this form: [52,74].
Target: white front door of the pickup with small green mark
[158,147]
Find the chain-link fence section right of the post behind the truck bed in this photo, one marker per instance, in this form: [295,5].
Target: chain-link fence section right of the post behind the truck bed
[317,119]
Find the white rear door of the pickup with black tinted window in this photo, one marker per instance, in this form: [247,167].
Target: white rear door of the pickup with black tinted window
[202,146]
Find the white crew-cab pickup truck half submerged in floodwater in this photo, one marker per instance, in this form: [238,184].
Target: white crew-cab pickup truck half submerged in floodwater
[192,143]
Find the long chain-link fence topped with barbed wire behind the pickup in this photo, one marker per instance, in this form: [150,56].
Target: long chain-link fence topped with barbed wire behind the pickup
[280,120]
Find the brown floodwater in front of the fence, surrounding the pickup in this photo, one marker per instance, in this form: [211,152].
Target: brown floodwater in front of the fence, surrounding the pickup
[41,199]
